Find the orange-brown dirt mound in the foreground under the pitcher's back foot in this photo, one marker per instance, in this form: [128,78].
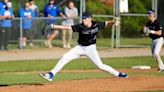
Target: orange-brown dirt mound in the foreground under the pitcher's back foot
[111,84]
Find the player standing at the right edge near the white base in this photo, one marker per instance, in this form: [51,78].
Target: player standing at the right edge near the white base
[154,31]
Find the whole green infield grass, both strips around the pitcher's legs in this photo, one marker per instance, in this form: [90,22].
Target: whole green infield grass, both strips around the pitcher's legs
[26,72]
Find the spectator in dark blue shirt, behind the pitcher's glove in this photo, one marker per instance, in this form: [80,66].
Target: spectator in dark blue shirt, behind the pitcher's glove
[51,10]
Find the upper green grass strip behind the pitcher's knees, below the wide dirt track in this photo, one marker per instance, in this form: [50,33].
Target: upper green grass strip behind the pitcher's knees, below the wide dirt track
[38,65]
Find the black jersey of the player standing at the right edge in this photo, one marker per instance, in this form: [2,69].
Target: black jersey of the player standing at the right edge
[154,26]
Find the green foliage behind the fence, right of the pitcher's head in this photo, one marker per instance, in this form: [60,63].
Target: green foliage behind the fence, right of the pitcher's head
[130,26]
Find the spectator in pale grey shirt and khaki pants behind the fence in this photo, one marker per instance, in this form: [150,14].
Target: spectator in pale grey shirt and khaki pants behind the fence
[70,12]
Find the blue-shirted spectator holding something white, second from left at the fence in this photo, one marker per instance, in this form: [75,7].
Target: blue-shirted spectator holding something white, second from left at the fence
[26,14]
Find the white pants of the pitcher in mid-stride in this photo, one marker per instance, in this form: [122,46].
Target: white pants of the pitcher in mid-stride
[90,52]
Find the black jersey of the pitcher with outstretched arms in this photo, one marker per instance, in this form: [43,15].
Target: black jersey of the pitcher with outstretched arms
[87,35]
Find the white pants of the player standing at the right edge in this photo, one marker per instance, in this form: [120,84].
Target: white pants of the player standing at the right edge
[156,48]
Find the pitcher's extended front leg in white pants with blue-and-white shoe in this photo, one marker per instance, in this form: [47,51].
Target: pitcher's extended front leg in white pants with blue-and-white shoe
[74,53]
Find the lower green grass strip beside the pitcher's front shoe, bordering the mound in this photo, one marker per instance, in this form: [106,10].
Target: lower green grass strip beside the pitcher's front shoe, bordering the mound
[33,78]
